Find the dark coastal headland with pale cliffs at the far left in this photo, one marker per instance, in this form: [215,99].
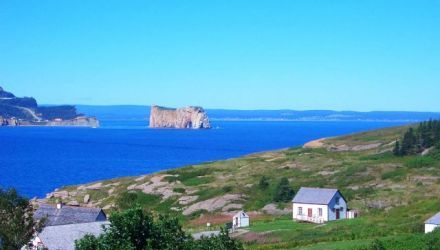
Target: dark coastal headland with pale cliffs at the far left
[21,111]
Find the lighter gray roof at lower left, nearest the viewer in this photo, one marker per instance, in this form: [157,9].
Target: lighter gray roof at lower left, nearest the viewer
[63,237]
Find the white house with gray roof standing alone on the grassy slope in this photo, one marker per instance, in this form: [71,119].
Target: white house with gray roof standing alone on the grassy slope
[319,205]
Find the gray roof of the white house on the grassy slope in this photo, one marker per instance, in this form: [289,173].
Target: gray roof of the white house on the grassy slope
[314,195]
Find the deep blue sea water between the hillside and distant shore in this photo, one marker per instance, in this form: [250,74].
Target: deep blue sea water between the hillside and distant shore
[36,160]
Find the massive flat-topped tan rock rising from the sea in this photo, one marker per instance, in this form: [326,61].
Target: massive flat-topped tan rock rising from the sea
[187,117]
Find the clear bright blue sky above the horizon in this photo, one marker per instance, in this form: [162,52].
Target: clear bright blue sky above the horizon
[309,54]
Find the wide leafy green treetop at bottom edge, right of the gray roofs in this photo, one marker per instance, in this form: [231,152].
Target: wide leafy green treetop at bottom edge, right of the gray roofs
[134,229]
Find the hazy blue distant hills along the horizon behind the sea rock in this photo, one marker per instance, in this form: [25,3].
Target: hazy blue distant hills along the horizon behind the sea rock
[130,112]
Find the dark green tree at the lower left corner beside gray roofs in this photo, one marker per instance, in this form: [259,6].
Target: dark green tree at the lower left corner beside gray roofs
[16,220]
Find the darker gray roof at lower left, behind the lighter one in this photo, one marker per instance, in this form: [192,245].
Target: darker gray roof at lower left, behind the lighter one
[68,214]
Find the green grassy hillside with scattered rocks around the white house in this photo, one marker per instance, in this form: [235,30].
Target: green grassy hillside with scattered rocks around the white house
[394,194]
